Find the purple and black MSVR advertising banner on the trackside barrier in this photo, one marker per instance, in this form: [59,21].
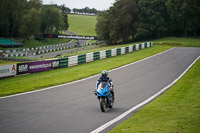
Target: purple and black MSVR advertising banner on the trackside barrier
[33,67]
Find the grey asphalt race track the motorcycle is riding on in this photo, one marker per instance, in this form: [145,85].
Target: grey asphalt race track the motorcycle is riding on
[73,108]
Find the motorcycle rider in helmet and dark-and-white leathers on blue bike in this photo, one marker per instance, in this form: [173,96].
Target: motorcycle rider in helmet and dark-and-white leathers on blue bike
[104,78]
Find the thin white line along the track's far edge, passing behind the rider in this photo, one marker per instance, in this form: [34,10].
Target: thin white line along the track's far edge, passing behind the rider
[82,79]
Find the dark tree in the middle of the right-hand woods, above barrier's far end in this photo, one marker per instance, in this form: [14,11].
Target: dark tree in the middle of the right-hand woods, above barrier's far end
[152,19]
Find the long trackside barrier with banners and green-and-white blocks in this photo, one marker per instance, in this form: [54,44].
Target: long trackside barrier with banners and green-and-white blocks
[39,66]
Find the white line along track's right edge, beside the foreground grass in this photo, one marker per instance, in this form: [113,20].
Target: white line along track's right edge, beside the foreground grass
[101,128]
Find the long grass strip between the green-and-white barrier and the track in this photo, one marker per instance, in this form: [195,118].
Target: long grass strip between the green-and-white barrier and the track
[59,76]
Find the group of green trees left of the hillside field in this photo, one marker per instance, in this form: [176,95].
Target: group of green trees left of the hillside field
[24,19]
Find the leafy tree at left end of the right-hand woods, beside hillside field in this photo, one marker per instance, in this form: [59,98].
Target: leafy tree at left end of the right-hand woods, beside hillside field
[118,22]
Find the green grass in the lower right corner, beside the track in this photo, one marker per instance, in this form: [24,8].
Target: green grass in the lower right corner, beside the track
[176,111]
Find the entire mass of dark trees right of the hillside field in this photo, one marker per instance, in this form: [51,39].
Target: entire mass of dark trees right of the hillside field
[129,20]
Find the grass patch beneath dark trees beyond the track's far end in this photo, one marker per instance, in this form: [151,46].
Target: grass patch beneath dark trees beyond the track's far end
[184,42]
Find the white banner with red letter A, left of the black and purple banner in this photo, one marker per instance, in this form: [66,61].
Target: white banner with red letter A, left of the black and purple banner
[8,70]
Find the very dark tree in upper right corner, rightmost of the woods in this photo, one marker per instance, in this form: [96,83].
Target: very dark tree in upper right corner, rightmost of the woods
[185,15]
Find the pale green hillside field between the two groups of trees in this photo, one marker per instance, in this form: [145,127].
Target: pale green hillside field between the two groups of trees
[82,24]
